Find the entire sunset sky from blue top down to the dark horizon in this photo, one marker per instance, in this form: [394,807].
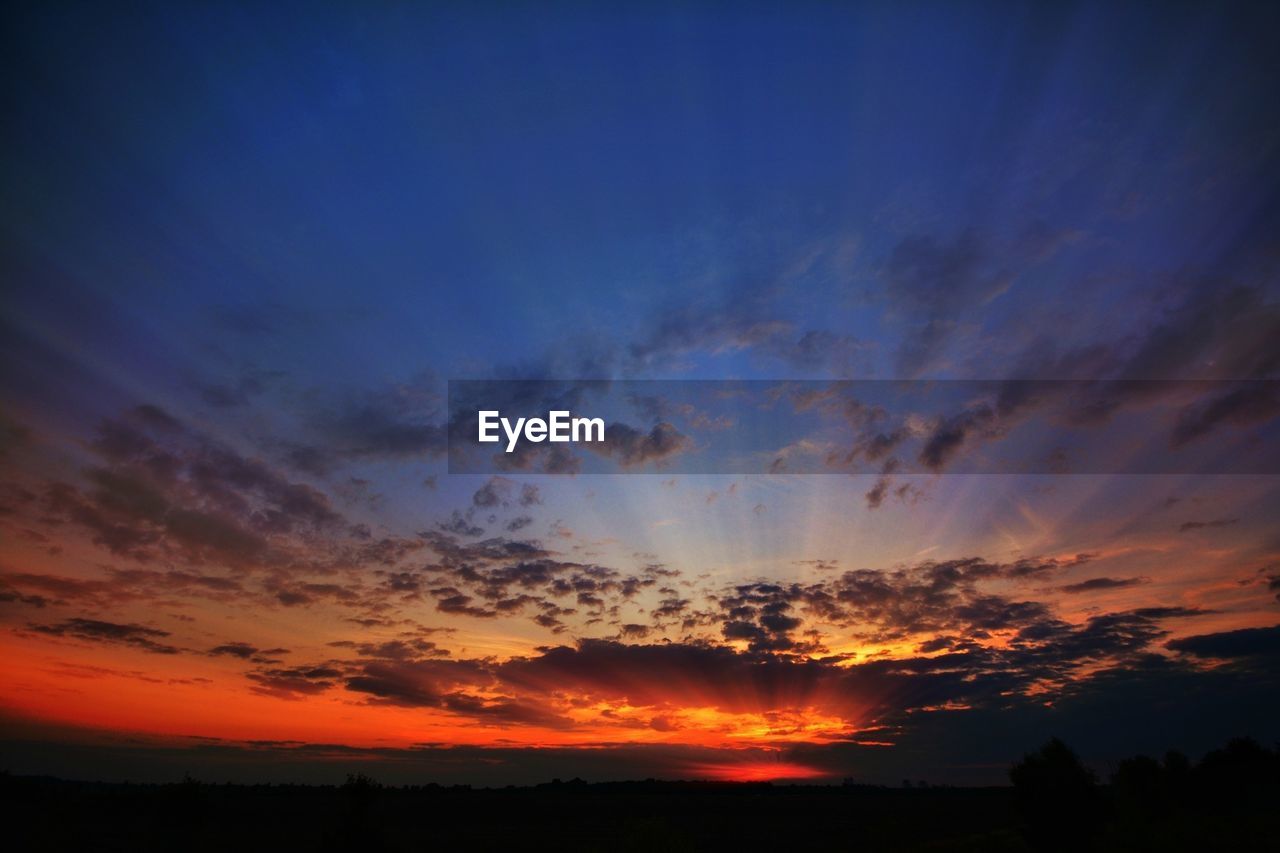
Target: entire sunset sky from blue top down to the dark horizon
[981,302]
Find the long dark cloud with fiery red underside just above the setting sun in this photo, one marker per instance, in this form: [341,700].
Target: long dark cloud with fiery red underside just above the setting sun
[760,681]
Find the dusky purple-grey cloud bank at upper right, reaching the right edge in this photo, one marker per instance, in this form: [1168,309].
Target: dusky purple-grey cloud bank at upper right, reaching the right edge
[1203,366]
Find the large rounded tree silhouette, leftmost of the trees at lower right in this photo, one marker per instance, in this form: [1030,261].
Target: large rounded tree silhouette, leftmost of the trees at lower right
[1057,797]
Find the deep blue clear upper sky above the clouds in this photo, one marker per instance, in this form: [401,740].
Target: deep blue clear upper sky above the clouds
[473,191]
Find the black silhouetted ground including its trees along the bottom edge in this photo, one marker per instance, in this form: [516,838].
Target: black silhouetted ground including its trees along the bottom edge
[1228,802]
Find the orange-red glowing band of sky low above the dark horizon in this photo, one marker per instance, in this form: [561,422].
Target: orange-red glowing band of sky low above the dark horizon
[122,686]
